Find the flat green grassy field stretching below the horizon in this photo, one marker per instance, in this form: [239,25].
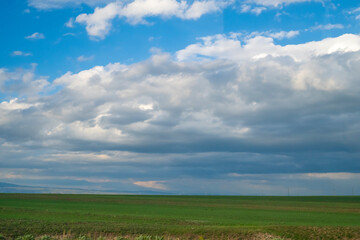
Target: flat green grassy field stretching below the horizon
[183,217]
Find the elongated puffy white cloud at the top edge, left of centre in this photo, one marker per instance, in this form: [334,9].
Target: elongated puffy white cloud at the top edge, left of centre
[98,24]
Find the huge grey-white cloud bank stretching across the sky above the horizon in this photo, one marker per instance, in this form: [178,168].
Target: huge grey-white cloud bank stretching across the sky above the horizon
[223,109]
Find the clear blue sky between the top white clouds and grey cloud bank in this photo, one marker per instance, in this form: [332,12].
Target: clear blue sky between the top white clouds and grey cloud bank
[127,43]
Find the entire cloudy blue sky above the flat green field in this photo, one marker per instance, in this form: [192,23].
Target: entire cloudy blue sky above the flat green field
[230,97]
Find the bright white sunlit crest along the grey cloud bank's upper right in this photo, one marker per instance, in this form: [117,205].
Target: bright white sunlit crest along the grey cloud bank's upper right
[221,46]
